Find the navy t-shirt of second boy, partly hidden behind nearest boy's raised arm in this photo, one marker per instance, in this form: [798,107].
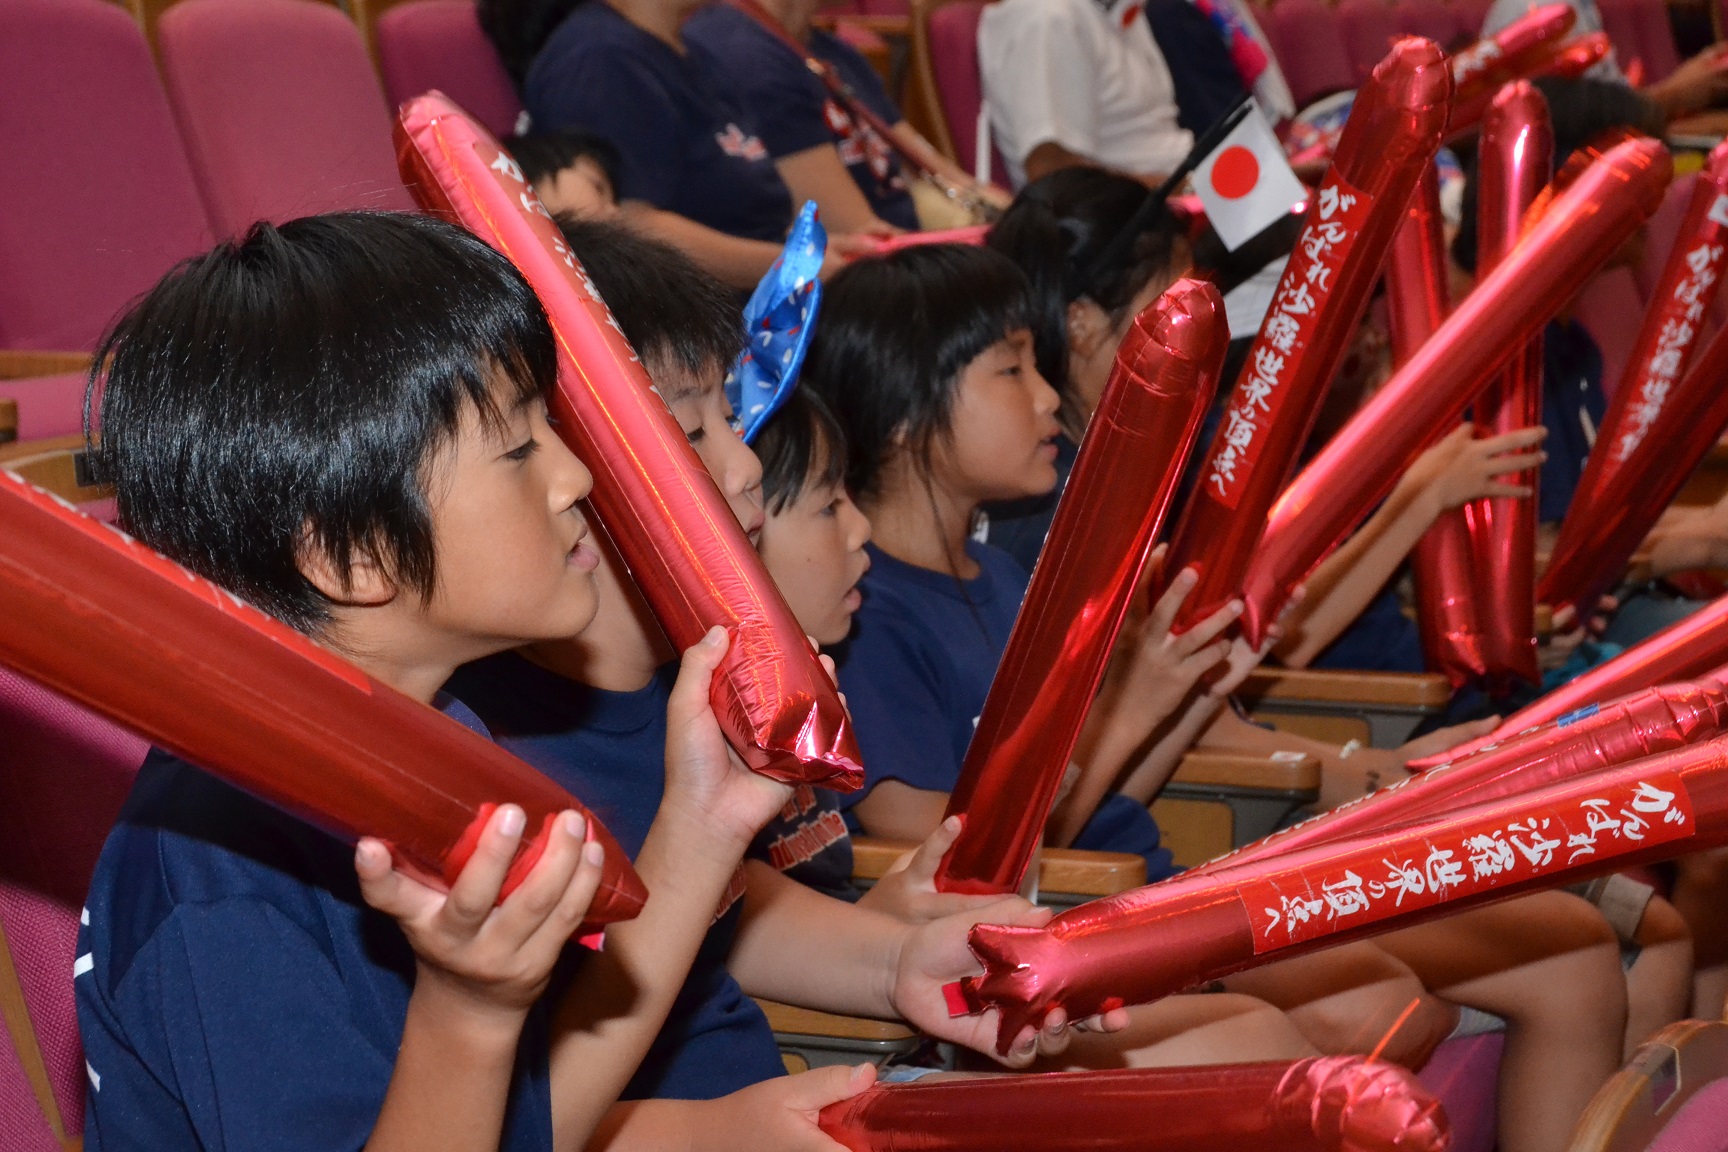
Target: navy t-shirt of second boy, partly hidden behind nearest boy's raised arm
[609,749]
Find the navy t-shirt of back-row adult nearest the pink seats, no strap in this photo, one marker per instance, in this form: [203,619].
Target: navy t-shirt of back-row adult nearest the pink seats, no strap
[683,136]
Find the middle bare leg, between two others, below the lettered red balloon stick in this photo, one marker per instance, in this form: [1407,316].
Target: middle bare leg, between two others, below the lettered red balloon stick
[1352,999]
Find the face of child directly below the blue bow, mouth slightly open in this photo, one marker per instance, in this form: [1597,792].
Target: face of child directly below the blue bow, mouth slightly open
[815,550]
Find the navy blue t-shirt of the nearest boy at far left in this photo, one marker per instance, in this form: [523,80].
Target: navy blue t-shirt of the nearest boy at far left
[236,992]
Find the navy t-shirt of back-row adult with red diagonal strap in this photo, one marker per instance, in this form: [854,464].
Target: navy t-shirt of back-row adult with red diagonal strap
[794,110]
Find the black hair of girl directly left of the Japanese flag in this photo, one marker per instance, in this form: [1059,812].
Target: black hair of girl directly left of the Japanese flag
[1058,229]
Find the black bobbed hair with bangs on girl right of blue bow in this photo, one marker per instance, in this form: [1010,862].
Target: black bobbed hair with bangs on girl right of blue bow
[893,339]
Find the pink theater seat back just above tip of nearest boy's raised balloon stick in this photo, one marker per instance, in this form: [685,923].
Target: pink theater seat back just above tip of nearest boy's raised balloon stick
[438,44]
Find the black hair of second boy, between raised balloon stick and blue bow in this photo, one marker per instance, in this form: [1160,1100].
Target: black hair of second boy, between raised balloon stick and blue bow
[671,312]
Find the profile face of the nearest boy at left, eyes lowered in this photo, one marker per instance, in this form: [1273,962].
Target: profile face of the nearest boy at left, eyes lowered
[514,559]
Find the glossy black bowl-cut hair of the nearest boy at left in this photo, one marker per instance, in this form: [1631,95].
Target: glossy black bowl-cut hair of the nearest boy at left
[289,389]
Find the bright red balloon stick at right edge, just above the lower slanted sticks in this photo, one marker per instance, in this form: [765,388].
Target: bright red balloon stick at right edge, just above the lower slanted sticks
[1686,649]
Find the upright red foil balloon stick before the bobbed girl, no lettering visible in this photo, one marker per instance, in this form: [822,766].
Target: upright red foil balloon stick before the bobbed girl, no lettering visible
[1124,481]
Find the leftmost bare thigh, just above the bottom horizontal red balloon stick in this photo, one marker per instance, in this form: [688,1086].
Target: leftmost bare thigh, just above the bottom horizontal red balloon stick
[1188,1030]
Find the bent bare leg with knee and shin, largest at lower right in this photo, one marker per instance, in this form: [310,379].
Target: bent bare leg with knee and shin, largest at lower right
[1551,966]
